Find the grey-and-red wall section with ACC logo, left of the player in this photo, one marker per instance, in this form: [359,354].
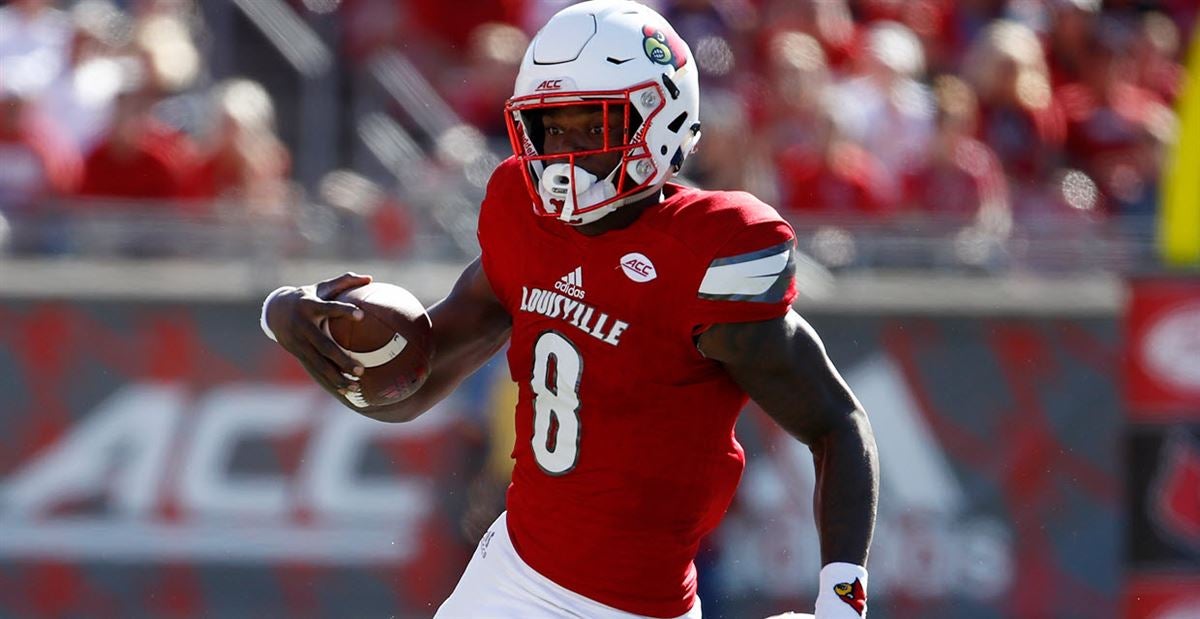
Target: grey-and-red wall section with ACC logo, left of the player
[167,460]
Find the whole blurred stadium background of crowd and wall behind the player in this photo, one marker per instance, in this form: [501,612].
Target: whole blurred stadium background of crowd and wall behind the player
[999,203]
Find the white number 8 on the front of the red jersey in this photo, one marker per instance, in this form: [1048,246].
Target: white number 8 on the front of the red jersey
[557,369]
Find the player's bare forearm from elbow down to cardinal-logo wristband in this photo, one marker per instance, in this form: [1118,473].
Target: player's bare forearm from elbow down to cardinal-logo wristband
[848,490]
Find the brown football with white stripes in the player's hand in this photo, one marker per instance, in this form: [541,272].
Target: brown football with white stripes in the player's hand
[394,342]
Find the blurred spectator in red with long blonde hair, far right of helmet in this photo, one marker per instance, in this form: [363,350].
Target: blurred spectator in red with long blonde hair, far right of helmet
[1018,116]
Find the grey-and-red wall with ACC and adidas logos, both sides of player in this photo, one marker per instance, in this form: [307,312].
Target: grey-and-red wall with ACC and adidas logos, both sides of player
[154,454]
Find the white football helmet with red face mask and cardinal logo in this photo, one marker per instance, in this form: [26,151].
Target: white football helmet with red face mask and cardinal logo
[605,53]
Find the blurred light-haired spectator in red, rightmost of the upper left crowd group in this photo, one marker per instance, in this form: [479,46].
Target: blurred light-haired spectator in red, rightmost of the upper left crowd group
[244,160]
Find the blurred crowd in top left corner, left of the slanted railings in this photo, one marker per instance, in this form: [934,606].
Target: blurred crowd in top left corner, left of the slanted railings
[109,105]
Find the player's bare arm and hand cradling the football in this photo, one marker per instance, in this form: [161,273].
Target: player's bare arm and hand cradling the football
[470,326]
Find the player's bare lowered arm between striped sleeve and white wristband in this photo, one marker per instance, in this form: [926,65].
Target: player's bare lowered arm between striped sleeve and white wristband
[783,365]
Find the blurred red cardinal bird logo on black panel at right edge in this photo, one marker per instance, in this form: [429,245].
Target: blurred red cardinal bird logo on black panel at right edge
[1177,504]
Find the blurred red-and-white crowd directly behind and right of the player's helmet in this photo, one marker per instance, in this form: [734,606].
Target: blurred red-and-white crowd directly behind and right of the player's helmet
[1000,111]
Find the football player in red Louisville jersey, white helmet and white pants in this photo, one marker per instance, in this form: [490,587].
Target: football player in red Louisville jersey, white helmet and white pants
[640,315]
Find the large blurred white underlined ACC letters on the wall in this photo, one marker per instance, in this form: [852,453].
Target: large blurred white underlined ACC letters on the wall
[166,468]
